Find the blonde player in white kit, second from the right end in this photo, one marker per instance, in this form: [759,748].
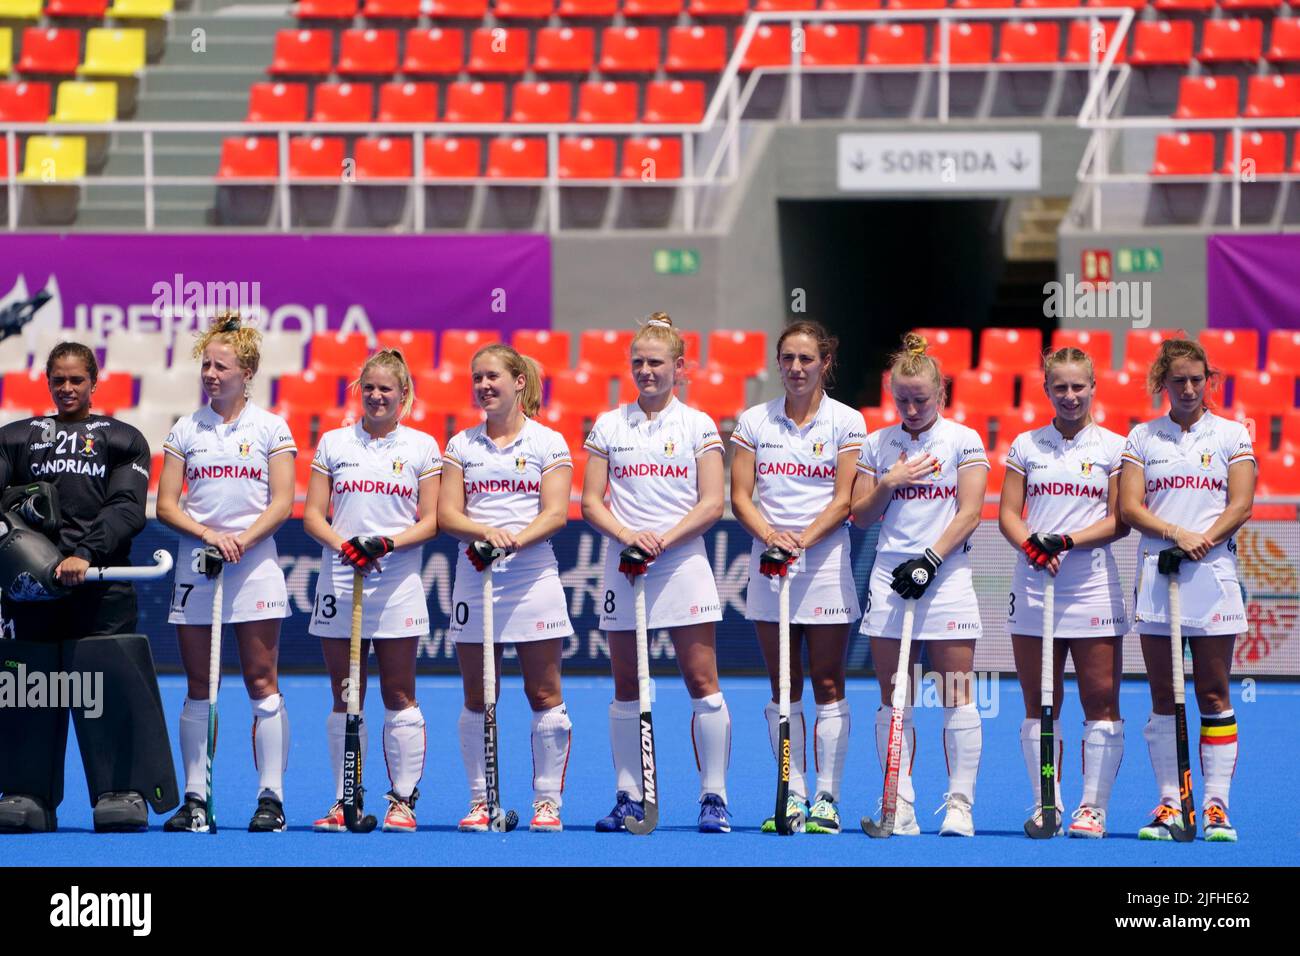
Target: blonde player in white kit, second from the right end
[1068,474]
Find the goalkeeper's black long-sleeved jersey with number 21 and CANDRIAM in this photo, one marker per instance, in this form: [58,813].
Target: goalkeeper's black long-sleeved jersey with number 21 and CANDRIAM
[101,468]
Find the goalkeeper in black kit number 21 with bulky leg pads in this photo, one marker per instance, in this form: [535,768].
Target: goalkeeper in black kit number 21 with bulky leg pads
[75,491]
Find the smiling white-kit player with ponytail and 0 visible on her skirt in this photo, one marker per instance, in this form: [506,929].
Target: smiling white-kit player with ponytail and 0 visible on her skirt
[508,485]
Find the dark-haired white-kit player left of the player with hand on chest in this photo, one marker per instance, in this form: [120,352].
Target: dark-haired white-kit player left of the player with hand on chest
[799,453]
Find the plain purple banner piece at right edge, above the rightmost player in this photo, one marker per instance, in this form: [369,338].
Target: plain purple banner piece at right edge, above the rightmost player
[1254,283]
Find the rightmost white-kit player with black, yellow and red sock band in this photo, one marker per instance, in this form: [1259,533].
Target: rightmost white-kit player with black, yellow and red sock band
[1189,487]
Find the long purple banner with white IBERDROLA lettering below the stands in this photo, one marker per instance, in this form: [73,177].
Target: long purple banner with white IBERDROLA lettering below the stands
[105,284]
